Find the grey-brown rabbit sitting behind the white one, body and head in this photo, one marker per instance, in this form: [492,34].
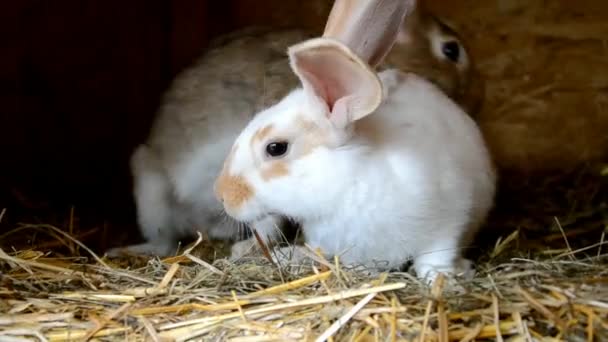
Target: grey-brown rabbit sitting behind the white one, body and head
[209,104]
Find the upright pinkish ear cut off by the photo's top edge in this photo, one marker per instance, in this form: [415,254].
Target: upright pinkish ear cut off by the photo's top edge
[368,27]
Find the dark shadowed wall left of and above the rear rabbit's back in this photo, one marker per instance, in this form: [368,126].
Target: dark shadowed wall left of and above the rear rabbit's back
[81,81]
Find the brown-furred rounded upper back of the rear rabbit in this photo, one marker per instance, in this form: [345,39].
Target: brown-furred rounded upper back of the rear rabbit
[229,82]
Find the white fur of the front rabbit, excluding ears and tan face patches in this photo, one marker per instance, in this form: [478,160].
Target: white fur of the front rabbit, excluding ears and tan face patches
[421,192]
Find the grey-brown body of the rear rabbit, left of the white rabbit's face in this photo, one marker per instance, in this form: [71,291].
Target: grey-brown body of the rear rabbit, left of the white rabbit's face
[201,114]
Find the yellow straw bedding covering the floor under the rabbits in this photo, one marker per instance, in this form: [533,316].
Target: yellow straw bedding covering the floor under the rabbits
[559,297]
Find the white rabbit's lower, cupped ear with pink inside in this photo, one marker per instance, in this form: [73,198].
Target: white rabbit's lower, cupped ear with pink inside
[331,73]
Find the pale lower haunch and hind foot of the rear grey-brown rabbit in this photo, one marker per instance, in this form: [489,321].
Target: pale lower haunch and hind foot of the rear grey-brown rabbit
[175,203]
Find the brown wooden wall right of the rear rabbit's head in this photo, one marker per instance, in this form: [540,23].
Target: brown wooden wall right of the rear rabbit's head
[546,108]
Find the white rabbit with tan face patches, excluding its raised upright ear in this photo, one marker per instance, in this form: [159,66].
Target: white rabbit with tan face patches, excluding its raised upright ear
[376,167]
